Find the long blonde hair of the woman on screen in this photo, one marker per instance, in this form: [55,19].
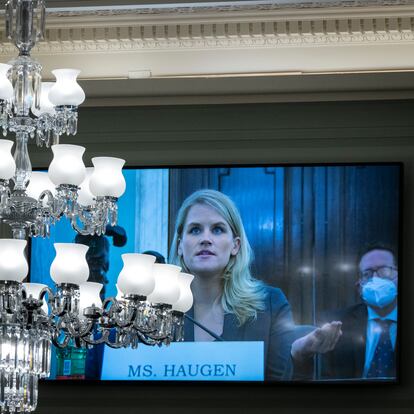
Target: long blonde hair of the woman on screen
[243,295]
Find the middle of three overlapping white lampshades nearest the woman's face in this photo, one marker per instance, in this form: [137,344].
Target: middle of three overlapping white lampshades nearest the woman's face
[166,284]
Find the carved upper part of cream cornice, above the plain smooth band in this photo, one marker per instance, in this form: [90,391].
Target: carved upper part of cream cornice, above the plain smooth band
[121,30]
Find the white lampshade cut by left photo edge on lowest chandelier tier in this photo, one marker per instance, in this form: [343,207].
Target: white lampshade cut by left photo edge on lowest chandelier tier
[13,263]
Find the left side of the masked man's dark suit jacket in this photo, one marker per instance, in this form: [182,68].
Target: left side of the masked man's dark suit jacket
[347,360]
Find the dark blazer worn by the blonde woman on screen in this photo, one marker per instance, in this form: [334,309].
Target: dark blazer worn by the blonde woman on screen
[274,326]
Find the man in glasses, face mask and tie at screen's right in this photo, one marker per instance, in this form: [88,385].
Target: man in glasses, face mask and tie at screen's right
[367,348]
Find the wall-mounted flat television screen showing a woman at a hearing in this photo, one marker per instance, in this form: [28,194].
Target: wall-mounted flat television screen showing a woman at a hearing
[325,246]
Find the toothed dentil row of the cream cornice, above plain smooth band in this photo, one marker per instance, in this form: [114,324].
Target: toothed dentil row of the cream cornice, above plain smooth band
[263,34]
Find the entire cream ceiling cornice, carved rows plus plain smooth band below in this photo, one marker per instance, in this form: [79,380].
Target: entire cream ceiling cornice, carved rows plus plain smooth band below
[215,40]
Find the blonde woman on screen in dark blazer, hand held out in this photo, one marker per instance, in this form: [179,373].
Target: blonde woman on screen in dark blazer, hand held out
[210,243]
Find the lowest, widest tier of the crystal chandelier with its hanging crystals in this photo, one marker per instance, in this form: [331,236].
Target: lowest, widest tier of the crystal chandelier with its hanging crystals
[149,308]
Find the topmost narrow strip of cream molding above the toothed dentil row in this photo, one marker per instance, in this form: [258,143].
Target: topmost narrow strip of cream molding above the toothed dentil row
[225,14]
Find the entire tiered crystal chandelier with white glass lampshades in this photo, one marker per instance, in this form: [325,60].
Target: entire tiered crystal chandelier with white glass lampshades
[152,298]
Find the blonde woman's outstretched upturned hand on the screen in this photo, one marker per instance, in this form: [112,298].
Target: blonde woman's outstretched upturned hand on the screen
[319,341]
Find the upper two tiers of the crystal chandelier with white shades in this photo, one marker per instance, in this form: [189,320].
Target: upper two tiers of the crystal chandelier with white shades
[44,111]
